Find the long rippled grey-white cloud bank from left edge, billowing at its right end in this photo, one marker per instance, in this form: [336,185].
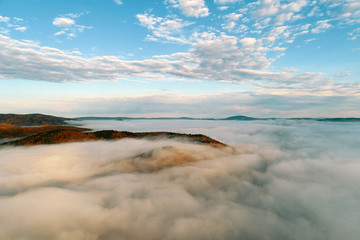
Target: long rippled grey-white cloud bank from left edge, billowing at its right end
[219,58]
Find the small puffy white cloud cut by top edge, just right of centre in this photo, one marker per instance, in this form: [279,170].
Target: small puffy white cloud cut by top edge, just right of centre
[191,8]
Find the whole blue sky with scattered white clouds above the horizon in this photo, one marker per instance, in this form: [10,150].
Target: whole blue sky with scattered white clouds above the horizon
[200,58]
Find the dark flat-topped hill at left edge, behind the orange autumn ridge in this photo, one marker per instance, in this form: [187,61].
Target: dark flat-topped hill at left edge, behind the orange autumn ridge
[32,119]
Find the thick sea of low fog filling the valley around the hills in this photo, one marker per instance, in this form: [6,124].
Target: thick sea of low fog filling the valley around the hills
[279,180]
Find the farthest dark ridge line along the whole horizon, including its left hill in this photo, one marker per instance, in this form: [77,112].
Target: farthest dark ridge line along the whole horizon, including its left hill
[41,119]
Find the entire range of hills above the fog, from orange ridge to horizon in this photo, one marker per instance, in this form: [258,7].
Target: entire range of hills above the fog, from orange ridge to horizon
[34,129]
